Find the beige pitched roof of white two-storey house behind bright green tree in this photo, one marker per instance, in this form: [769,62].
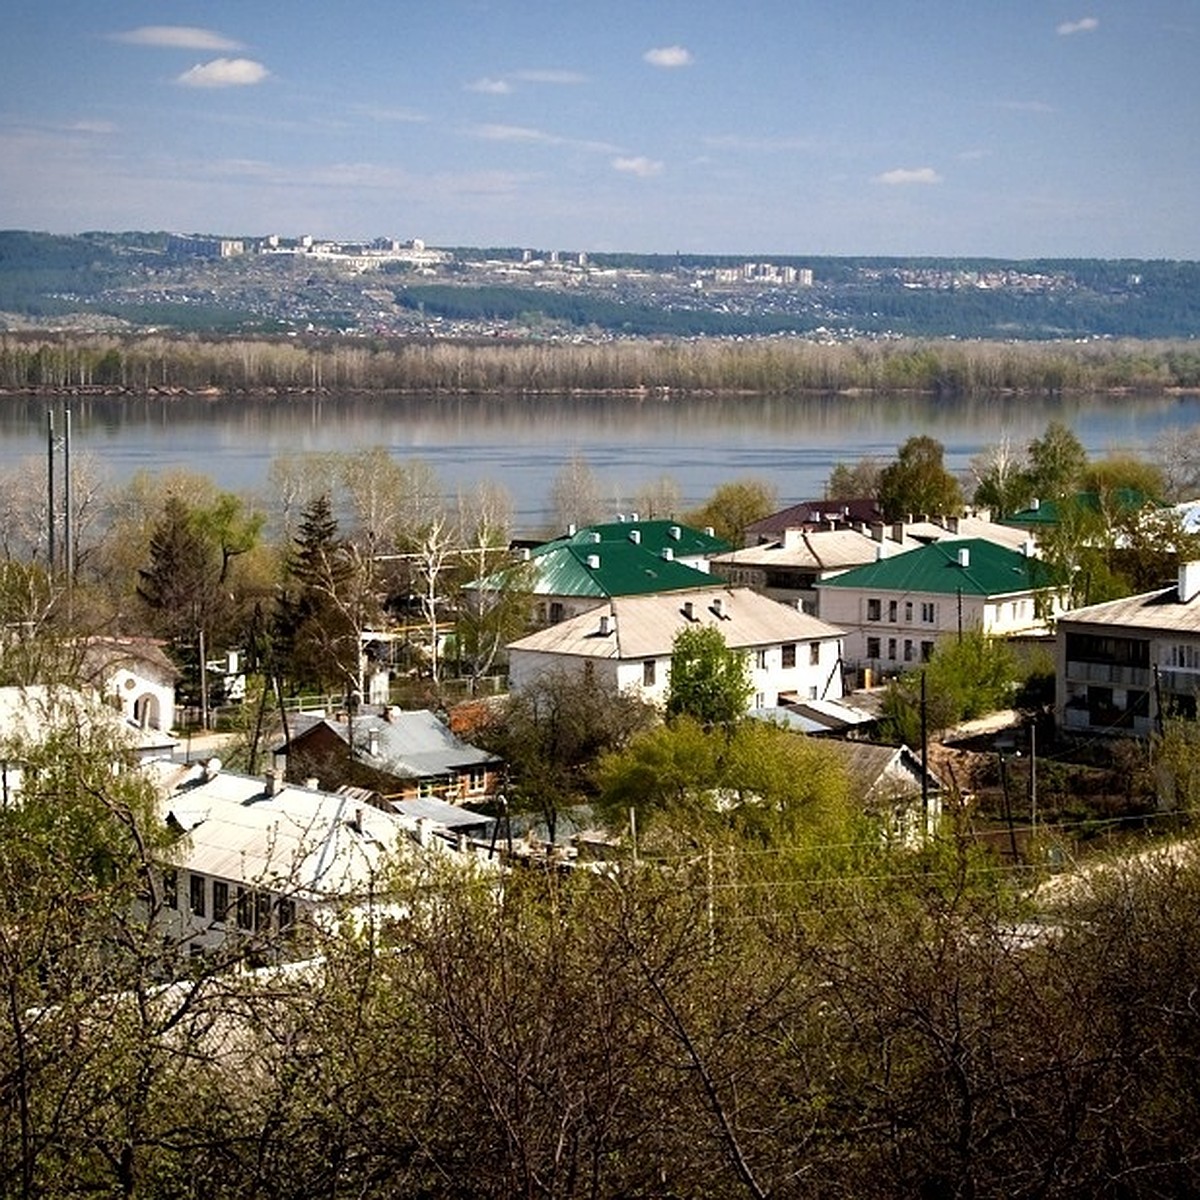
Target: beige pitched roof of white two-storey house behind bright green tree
[646,627]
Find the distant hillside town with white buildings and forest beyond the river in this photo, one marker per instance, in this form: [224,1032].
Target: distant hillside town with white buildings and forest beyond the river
[407,289]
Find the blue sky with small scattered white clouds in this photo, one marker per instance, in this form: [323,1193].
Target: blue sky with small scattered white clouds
[995,128]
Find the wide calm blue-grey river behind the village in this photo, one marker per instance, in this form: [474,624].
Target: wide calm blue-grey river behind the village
[524,442]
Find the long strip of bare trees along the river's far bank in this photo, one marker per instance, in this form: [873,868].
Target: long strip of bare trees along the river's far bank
[142,364]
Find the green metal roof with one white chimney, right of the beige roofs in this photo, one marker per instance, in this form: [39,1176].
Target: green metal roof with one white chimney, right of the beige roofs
[991,571]
